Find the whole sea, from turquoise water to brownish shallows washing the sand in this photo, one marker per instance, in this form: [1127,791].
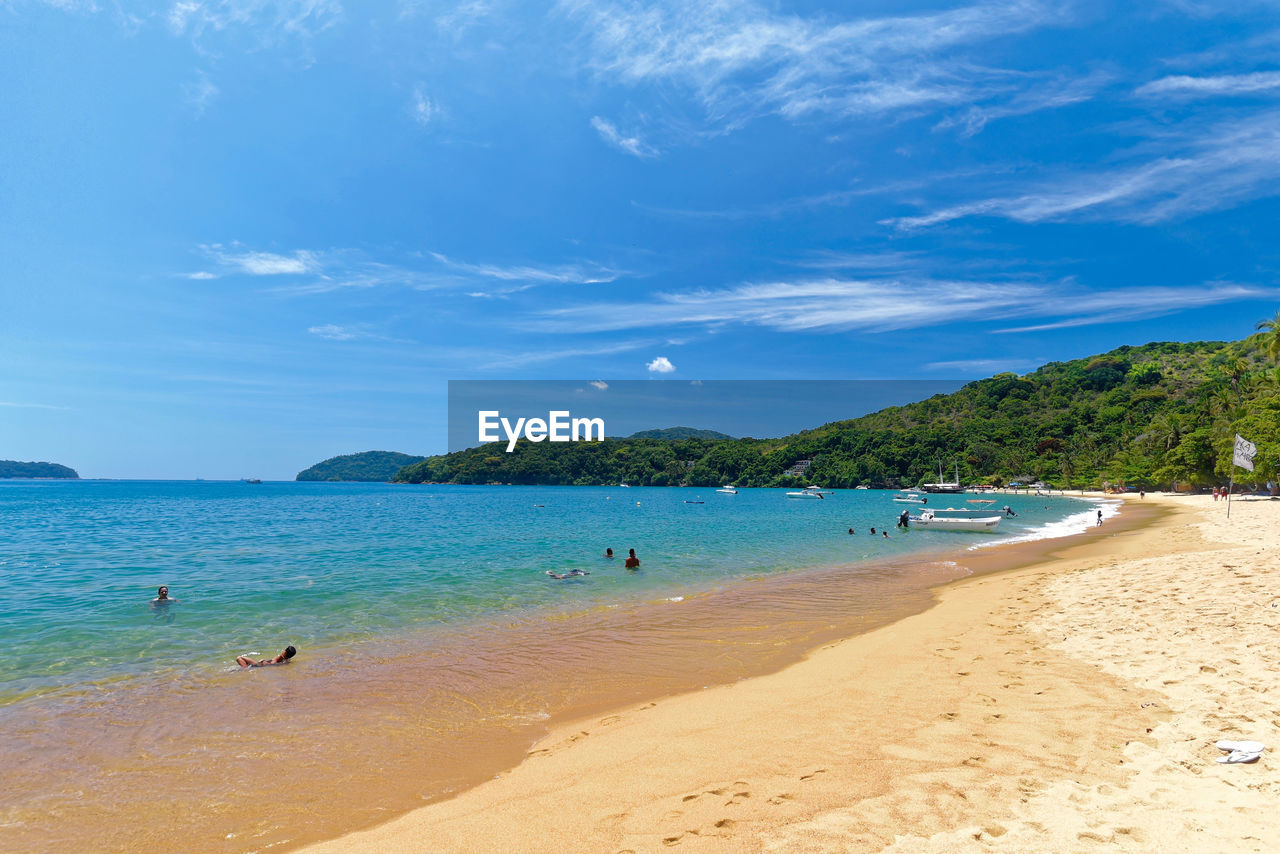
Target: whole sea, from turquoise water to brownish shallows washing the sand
[433,646]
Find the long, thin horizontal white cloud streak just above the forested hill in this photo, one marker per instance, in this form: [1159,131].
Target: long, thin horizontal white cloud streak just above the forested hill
[830,305]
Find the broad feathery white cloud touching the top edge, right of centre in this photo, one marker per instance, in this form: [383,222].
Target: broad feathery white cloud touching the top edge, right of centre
[742,60]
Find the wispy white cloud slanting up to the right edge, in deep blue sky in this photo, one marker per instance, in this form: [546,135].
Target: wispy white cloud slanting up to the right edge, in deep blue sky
[1199,171]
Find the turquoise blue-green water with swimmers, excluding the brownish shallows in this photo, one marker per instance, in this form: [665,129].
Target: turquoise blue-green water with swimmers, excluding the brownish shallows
[254,568]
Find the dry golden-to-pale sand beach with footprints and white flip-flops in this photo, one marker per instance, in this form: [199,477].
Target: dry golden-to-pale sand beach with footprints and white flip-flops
[1071,706]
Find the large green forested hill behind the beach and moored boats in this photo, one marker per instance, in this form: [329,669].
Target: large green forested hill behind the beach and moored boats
[1142,417]
